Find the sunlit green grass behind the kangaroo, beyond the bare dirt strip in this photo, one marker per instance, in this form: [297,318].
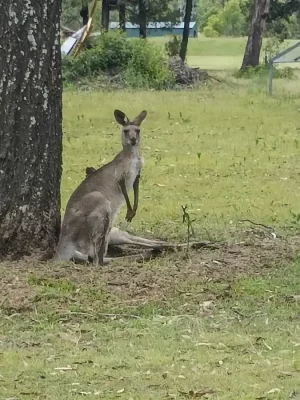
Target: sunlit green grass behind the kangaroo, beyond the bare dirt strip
[232,154]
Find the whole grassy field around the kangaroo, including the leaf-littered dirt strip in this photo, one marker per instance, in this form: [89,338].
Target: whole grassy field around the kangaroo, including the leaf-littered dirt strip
[220,322]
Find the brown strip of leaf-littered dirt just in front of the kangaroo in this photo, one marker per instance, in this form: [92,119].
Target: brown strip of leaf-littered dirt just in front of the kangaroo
[23,285]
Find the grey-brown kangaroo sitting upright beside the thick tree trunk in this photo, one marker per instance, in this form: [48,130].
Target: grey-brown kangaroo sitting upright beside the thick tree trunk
[95,203]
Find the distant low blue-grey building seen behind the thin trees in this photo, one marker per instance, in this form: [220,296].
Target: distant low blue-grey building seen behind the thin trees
[156,29]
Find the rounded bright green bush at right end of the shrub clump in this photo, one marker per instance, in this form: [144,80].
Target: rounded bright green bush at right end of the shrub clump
[147,67]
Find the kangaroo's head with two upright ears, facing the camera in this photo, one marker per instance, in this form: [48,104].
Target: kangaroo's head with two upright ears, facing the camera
[130,129]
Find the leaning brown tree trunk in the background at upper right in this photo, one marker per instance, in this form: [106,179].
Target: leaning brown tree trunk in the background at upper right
[255,37]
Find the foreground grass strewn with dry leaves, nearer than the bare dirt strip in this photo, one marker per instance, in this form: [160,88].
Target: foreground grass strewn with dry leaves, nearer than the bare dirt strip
[246,346]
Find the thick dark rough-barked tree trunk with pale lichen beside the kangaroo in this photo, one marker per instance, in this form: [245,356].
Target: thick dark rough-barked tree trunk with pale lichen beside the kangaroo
[30,127]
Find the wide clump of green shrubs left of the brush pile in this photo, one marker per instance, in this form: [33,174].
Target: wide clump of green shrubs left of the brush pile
[139,62]
